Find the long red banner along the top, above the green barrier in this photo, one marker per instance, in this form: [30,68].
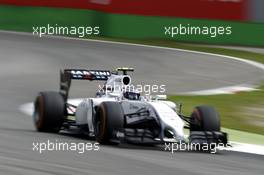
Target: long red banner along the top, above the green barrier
[207,9]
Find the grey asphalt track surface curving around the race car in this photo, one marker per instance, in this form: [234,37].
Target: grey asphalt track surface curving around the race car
[29,64]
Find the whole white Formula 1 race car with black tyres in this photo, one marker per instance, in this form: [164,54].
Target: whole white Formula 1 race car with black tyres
[118,115]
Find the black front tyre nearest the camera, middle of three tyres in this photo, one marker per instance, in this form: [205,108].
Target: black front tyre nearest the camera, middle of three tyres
[109,118]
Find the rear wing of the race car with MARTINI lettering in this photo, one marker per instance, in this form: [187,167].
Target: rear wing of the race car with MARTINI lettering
[67,75]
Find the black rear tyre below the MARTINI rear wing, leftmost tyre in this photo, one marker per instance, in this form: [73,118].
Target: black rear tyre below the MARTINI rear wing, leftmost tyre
[49,110]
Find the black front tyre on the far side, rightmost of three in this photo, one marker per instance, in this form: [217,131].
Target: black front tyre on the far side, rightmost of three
[205,118]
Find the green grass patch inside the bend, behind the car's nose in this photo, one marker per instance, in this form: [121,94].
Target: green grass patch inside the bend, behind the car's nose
[242,111]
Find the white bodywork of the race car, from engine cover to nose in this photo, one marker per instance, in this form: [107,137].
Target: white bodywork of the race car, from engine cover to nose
[144,109]
